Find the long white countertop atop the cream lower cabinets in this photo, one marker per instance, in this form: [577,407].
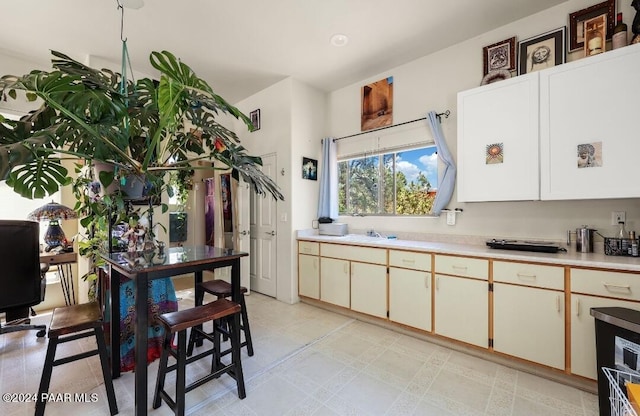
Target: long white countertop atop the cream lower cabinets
[570,258]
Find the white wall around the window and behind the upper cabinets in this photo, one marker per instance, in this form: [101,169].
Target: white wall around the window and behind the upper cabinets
[432,83]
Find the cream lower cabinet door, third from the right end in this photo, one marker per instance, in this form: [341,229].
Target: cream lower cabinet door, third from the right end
[462,309]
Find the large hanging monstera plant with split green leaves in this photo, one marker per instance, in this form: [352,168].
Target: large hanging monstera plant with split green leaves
[145,127]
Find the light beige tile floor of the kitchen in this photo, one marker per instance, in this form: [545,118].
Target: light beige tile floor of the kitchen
[309,361]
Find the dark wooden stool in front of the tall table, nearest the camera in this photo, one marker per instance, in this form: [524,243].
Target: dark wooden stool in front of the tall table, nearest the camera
[179,322]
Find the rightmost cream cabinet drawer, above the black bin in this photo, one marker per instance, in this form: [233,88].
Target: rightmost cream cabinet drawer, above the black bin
[604,283]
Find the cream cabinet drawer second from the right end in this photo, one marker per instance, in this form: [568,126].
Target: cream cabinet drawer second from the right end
[536,275]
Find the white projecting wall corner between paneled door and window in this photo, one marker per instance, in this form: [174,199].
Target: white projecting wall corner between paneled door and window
[292,122]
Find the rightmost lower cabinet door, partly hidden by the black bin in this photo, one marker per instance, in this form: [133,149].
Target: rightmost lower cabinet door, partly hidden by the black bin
[583,336]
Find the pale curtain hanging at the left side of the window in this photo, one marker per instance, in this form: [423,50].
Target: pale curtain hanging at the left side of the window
[328,198]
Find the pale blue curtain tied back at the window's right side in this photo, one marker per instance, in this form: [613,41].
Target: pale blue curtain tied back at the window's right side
[446,177]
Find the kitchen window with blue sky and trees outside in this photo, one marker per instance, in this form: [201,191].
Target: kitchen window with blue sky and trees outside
[401,182]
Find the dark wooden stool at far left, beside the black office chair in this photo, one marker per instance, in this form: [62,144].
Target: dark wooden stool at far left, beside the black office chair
[70,323]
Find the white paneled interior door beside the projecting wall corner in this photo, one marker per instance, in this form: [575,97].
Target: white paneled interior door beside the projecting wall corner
[263,240]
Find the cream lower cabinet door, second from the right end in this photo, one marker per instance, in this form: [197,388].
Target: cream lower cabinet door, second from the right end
[529,323]
